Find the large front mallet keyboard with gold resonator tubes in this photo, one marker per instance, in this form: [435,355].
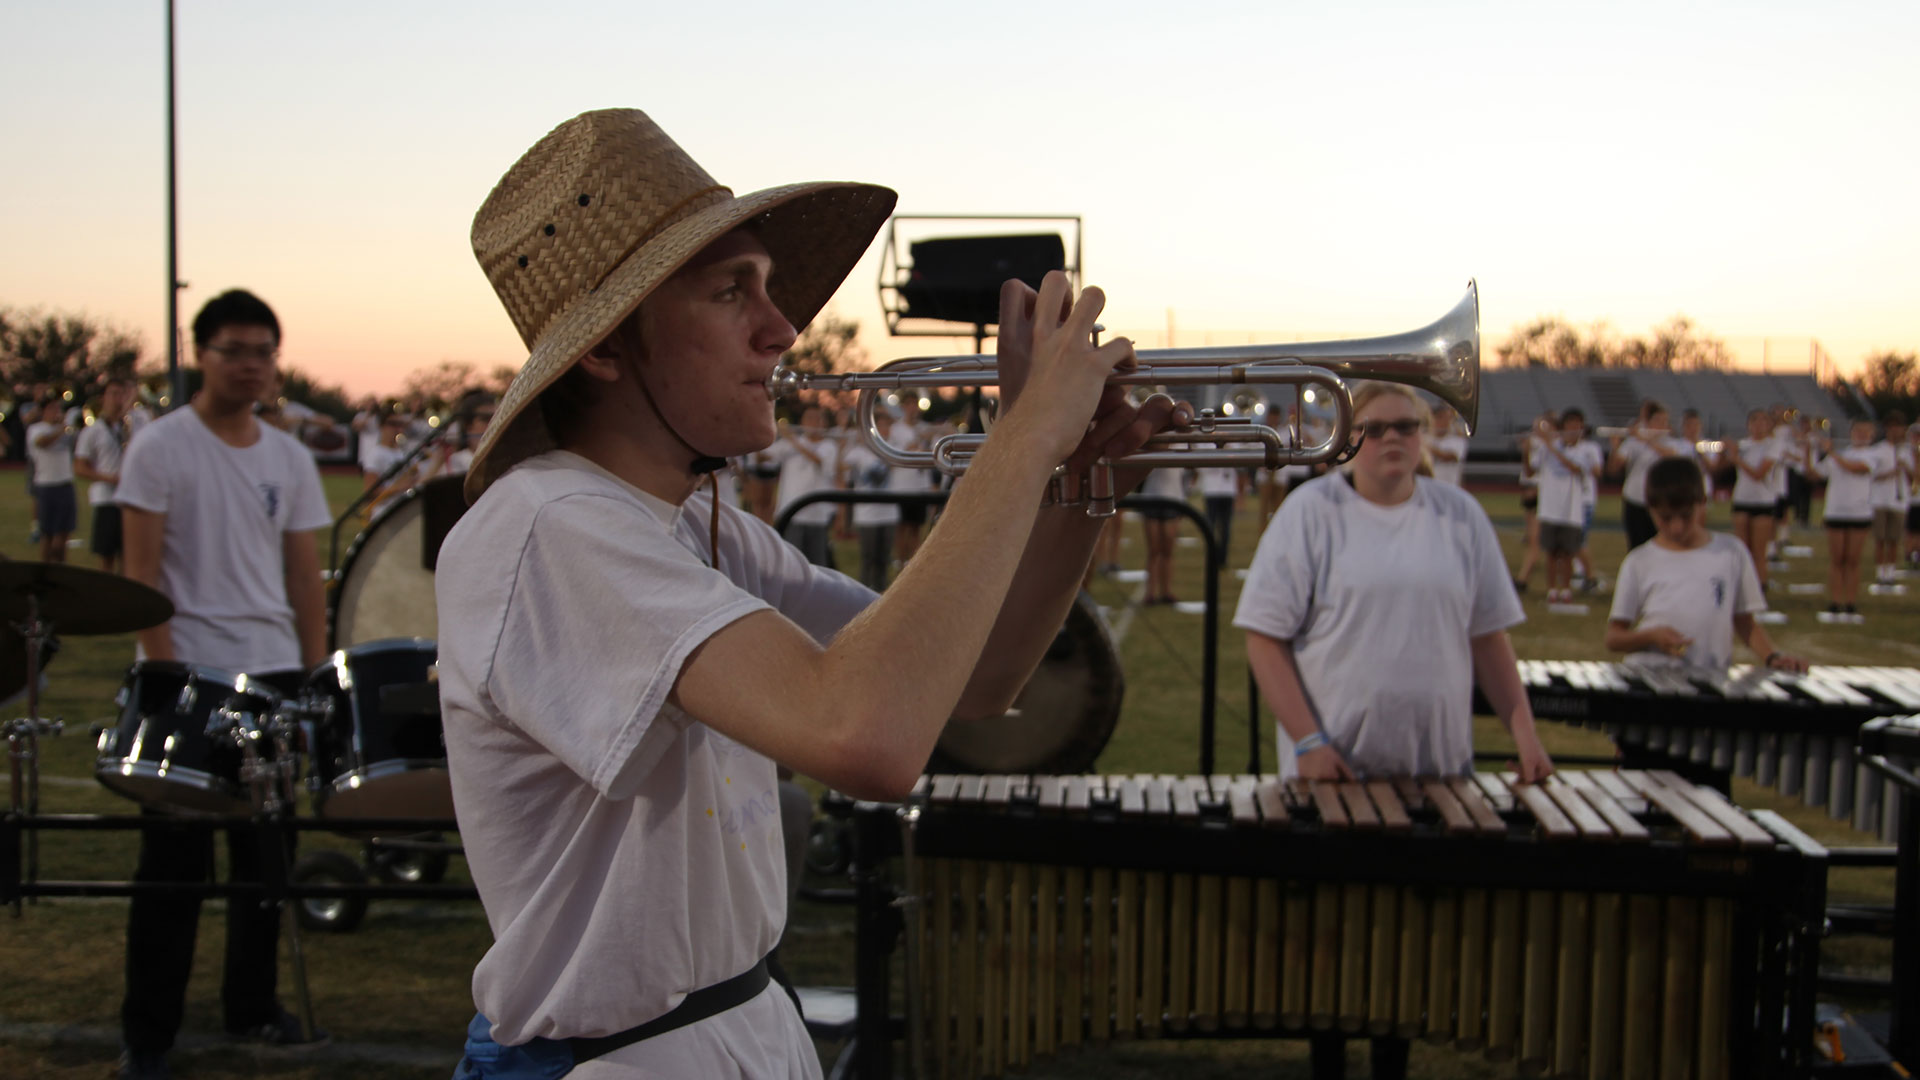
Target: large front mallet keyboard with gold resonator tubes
[1596,925]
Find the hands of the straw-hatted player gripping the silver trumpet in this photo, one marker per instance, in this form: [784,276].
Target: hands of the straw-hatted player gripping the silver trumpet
[1047,347]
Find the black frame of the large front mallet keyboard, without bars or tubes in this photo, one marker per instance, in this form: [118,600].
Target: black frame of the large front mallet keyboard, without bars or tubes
[1777,929]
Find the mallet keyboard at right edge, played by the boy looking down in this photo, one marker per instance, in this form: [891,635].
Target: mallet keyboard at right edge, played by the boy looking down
[1781,731]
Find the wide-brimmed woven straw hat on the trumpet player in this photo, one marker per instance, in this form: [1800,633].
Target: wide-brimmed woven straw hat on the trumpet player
[604,210]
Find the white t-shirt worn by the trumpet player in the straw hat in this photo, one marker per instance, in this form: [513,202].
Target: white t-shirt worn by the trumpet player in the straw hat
[625,852]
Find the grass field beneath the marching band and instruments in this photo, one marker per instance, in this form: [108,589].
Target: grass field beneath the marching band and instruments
[396,993]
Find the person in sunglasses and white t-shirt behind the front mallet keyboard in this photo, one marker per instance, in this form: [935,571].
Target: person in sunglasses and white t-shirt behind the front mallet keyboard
[1374,602]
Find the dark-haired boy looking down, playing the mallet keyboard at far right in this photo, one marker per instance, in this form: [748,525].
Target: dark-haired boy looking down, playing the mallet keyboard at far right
[1687,595]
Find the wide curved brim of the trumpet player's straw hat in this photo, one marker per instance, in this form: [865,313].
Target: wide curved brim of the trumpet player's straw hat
[815,233]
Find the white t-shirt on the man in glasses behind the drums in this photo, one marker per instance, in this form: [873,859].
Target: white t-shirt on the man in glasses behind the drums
[222,554]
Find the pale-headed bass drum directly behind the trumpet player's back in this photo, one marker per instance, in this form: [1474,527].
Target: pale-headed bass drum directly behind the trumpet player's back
[385,587]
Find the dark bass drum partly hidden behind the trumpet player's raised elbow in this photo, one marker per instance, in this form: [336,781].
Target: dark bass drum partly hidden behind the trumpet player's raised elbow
[1061,722]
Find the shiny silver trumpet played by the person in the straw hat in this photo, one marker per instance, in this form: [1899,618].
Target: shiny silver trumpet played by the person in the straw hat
[1441,358]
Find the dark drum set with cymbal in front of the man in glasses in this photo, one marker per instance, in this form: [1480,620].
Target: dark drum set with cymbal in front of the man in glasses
[354,747]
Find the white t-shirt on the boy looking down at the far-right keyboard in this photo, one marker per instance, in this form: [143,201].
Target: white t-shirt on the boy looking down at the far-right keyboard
[1696,593]
